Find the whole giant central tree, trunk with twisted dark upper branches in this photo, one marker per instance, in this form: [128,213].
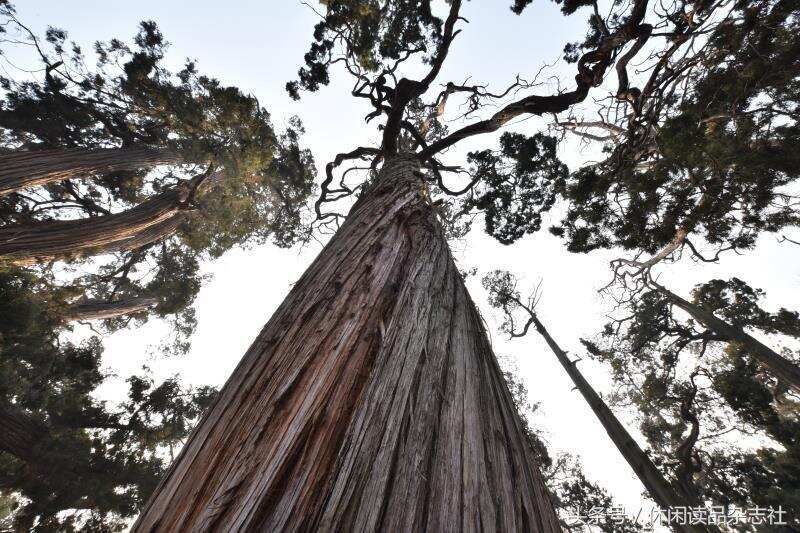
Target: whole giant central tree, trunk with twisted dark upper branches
[371,399]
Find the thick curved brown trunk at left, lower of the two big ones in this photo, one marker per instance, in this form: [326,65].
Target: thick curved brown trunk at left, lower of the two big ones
[46,241]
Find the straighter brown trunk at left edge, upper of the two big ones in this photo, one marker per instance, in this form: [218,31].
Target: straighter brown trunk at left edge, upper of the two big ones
[19,170]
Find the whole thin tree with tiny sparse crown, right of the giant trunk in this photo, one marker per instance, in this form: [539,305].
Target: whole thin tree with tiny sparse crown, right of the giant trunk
[503,294]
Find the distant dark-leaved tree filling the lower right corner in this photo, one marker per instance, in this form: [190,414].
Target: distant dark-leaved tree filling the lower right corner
[701,394]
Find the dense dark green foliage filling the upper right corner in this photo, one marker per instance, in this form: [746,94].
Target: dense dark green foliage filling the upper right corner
[714,155]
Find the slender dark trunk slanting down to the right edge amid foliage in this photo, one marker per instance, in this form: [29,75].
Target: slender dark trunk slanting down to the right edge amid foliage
[780,367]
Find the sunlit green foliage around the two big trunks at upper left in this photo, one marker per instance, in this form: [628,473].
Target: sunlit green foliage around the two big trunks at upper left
[126,97]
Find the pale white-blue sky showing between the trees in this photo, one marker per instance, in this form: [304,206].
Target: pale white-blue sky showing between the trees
[258,45]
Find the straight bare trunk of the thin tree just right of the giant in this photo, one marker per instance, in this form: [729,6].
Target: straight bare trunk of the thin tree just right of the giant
[654,482]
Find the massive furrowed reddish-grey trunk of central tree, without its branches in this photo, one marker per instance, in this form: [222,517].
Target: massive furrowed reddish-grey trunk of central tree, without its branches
[371,400]
